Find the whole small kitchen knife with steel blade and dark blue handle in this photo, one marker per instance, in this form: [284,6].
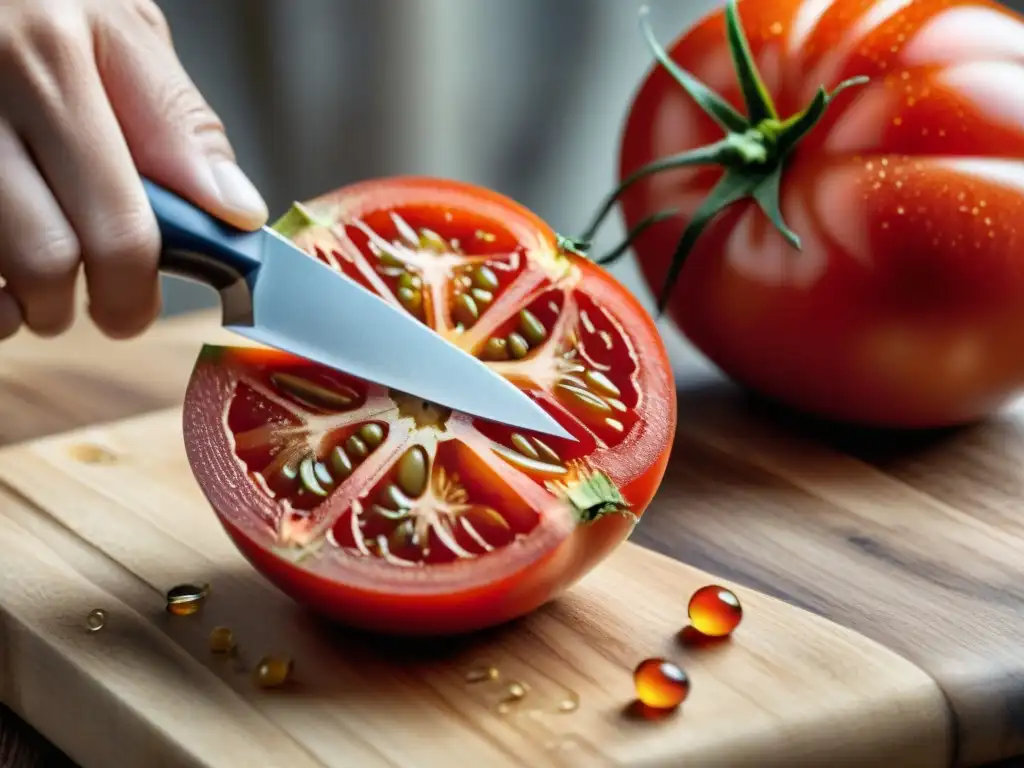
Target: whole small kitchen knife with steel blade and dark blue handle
[274,293]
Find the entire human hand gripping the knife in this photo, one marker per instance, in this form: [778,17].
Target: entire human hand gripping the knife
[92,97]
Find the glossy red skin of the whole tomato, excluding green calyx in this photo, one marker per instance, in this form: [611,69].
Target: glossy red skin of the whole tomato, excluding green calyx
[905,306]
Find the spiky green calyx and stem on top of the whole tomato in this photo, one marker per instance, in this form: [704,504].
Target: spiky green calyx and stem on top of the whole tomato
[753,152]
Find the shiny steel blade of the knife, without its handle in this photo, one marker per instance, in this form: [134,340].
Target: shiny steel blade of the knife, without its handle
[306,308]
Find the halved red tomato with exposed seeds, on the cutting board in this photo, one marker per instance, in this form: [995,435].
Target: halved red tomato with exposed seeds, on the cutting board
[394,515]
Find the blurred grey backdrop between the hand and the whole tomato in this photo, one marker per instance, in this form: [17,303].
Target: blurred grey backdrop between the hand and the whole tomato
[523,97]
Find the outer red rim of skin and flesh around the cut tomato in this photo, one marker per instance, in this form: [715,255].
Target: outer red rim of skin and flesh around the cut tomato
[463,596]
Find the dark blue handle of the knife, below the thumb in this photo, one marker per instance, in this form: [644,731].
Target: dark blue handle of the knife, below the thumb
[201,248]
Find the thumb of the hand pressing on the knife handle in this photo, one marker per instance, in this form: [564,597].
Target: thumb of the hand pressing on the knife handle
[175,137]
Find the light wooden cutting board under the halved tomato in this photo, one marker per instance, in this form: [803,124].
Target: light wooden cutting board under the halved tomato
[110,518]
